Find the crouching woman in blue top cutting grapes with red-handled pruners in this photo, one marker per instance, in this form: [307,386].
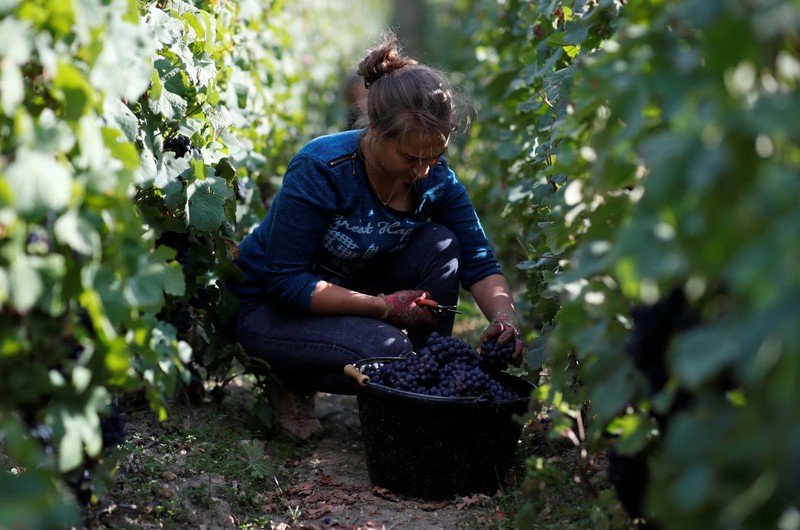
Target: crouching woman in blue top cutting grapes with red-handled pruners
[367,224]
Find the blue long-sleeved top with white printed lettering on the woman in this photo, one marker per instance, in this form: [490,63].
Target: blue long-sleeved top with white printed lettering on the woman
[326,223]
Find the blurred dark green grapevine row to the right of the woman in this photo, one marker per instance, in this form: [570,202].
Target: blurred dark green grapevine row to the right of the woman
[629,142]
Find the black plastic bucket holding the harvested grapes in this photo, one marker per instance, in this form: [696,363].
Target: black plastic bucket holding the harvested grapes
[436,448]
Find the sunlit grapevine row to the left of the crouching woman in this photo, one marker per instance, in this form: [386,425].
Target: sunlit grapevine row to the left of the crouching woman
[138,141]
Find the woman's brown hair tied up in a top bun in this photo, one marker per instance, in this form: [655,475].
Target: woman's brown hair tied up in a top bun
[404,94]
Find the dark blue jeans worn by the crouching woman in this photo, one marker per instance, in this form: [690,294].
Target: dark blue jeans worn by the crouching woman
[308,352]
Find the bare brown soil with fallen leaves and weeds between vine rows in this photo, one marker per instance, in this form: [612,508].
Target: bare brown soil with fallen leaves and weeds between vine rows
[324,483]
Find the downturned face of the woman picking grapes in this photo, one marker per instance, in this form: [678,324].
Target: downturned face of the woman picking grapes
[410,157]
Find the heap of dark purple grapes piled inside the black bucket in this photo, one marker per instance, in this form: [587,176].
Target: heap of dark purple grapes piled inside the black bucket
[444,367]
